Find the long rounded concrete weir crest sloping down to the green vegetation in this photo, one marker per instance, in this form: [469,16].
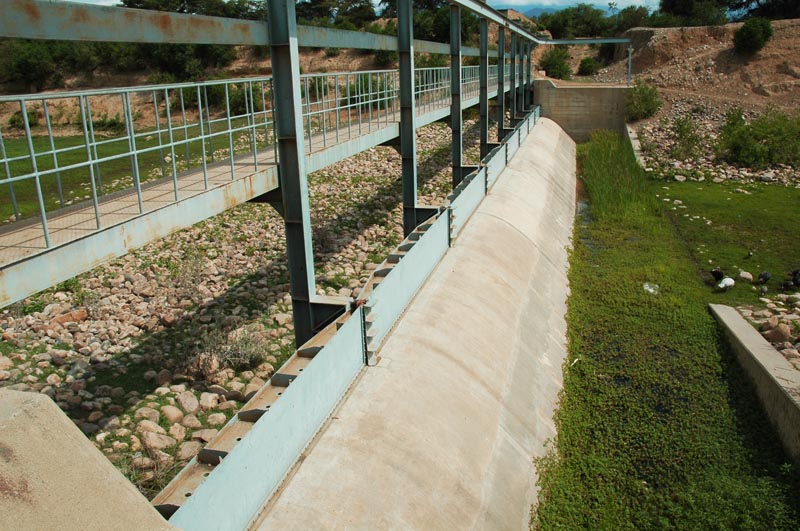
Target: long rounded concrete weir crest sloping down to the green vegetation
[442,432]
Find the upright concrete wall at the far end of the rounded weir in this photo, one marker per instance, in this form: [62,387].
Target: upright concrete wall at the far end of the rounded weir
[581,109]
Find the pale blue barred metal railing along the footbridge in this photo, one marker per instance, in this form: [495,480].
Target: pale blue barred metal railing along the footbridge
[71,148]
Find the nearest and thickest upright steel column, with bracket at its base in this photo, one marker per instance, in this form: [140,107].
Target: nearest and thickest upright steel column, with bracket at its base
[309,314]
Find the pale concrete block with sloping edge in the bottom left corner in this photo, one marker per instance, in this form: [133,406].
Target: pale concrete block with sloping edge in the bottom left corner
[52,477]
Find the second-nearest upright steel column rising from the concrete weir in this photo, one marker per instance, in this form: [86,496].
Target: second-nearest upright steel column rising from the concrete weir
[408,140]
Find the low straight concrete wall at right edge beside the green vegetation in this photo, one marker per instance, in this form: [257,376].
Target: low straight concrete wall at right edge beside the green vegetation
[777,382]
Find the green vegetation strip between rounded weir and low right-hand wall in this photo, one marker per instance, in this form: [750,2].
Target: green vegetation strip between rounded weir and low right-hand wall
[658,427]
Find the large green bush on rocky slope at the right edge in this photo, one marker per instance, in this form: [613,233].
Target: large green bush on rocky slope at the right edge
[772,138]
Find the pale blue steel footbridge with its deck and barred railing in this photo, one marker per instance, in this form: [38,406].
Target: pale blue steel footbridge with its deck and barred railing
[343,115]
